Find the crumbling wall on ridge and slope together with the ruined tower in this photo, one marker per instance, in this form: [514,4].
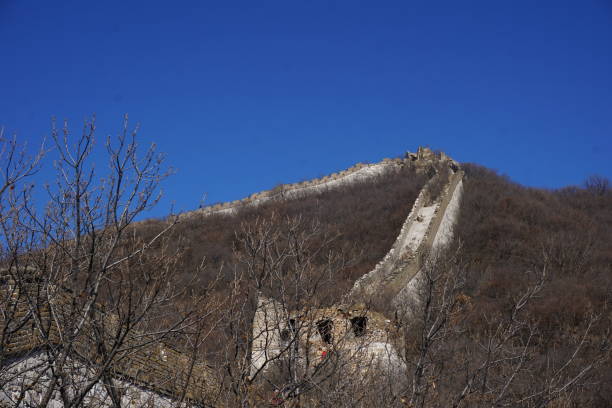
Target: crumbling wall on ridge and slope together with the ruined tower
[426,231]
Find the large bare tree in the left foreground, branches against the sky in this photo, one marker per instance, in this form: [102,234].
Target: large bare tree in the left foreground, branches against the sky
[98,299]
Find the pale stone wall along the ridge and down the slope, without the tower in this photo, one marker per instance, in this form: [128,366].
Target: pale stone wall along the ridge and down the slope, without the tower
[427,228]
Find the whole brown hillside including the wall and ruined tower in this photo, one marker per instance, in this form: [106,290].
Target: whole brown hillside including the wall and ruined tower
[411,282]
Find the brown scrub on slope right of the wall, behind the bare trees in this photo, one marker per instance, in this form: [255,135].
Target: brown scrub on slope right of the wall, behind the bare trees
[508,232]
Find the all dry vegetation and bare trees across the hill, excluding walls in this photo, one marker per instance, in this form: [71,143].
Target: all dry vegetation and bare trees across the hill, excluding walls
[516,313]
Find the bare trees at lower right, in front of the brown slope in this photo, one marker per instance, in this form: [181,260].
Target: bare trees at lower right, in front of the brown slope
[460,356]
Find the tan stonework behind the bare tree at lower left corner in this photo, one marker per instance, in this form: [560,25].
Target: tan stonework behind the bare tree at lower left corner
[157,366]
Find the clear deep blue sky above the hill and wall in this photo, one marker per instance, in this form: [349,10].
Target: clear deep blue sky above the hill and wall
[245,95]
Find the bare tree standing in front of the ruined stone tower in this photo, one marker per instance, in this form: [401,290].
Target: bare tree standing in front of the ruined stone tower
[287,341]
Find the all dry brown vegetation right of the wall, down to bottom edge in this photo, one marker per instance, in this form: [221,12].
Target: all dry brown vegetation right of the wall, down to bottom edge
[530,320]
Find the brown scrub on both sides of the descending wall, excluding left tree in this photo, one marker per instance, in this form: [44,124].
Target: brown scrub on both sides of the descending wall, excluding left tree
[527,325]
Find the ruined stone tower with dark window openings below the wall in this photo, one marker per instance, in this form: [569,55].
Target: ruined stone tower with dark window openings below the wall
[280,333]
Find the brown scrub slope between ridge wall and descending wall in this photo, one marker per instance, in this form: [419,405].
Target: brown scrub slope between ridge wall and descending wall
[360,221]
